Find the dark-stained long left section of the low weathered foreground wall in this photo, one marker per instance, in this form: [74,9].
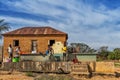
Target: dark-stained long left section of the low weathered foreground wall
[37,66]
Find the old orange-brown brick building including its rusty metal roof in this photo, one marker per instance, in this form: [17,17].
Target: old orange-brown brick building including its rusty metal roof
[33,38]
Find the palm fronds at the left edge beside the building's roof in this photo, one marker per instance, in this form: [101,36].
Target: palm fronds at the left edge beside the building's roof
[3,26]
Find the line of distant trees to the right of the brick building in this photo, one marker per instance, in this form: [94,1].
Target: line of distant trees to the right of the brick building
[102,53]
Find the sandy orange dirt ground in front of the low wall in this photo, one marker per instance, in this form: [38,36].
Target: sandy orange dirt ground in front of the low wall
[4,75]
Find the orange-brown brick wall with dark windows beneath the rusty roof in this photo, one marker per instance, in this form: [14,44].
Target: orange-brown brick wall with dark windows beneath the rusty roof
[25,42]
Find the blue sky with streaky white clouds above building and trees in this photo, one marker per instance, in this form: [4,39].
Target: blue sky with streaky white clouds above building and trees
[94,22]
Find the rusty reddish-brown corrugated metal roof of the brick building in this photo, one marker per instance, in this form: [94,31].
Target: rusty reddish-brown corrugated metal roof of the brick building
[34,31]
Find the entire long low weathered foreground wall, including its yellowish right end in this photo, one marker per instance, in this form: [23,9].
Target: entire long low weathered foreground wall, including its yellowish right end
[75,68]
